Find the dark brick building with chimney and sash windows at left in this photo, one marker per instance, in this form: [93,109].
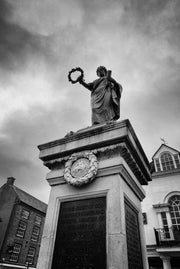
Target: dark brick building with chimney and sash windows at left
[21,224]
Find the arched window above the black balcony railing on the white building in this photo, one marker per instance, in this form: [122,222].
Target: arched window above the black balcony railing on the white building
[174,201]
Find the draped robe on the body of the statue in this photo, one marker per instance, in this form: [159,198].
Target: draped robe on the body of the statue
[105,100]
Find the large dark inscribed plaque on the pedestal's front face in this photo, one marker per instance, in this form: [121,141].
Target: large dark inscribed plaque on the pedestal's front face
[81,235]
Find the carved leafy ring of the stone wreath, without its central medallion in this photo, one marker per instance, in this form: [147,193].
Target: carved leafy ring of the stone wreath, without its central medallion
[88,177]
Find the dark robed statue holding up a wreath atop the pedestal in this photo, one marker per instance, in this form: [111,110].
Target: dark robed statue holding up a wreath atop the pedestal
[105,95]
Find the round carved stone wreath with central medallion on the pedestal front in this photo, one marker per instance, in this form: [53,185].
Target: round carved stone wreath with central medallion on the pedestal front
[81,168]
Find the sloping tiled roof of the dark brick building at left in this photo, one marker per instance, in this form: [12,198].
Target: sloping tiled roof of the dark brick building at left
[30,200]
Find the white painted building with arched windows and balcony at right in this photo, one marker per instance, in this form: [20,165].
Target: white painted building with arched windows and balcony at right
[161,209]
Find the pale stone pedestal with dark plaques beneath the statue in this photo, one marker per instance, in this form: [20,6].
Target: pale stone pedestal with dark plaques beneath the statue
[98,224]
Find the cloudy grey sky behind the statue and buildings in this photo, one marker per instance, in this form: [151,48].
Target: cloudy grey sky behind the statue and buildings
[42,40]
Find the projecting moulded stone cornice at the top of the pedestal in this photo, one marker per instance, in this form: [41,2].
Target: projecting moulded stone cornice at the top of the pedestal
[114,136]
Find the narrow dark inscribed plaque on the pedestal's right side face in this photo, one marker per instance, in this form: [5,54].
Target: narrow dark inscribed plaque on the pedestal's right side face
[133,237]
